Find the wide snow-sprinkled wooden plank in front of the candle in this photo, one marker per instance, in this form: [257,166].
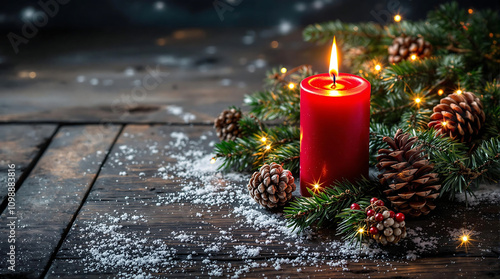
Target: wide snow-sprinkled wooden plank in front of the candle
[126,223]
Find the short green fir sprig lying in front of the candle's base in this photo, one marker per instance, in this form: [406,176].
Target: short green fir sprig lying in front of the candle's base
[326,205]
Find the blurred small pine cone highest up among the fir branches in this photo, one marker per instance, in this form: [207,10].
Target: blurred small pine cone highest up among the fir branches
[403,47]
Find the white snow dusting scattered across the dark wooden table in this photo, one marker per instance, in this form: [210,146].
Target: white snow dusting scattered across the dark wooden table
[246,243]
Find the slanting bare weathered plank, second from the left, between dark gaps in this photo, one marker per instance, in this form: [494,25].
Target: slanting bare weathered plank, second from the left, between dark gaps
[49,198]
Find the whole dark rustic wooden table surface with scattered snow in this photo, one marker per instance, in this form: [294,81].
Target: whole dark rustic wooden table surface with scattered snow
[115,182]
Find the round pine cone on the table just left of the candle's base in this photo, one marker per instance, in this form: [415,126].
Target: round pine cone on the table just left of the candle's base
[271,186]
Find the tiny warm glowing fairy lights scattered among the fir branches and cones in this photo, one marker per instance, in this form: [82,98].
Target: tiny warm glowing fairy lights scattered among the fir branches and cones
[465,238]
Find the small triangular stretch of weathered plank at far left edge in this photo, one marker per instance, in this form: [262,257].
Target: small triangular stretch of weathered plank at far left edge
[20,145]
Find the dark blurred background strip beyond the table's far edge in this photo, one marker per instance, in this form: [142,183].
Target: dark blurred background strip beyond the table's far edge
[122,15]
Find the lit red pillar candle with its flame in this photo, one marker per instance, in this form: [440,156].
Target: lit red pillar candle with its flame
[334,128]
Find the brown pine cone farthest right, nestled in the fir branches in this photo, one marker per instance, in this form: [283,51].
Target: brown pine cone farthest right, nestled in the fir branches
[459,116]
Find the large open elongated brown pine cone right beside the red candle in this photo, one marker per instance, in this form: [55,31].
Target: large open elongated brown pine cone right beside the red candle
[413,186]
